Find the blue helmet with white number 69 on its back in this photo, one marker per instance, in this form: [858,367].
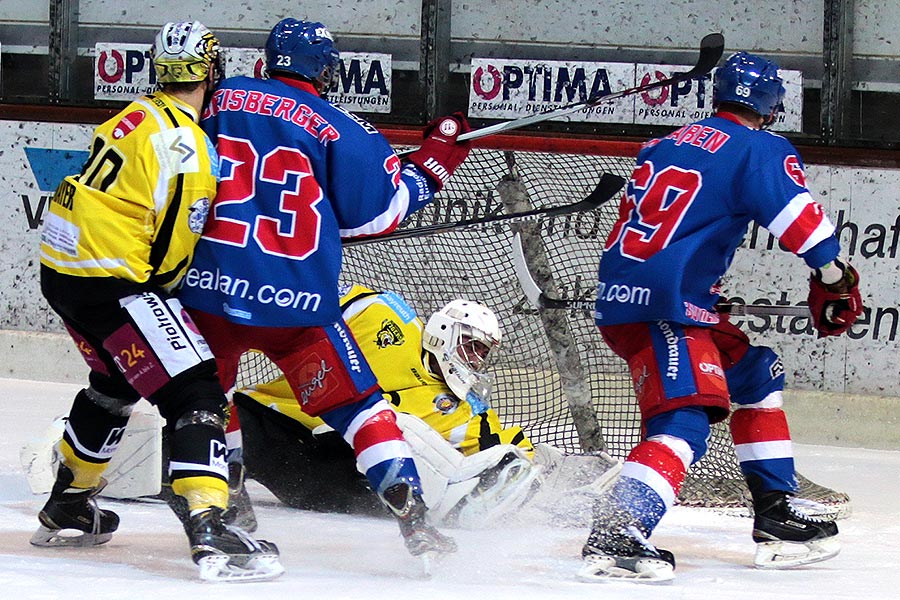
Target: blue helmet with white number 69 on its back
[752,81]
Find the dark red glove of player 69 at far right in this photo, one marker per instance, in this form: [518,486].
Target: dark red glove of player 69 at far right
[836,306]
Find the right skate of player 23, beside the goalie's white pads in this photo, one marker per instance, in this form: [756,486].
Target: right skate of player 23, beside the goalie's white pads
[422,539]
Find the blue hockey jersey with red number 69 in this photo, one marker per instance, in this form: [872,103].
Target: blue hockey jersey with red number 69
[685,211]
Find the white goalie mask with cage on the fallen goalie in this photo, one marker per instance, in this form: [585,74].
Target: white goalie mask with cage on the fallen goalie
[462,336]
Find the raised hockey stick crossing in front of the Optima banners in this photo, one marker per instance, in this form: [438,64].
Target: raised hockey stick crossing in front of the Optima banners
[711,47]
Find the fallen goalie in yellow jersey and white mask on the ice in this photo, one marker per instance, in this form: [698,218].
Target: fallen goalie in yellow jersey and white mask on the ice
[435,374]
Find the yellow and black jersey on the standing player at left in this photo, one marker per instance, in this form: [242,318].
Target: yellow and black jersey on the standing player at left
[138,207]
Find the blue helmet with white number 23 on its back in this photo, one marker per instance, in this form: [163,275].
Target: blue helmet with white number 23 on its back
[304,48]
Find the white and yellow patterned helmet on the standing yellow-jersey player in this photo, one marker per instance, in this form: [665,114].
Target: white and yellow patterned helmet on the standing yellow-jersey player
[186,52]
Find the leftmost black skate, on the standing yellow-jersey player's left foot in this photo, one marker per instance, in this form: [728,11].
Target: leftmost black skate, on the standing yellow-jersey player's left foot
[71,516]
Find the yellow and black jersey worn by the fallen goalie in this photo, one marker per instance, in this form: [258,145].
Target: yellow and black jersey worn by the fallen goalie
[390,336]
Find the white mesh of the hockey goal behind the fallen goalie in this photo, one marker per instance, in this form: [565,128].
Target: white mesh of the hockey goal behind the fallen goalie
[530,391]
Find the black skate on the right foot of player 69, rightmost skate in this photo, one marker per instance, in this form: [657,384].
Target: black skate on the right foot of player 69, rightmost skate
[786,535]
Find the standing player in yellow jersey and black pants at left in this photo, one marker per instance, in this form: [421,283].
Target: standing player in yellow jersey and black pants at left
[117,239]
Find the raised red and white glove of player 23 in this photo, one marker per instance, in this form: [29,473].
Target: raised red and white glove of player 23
[440,153]
